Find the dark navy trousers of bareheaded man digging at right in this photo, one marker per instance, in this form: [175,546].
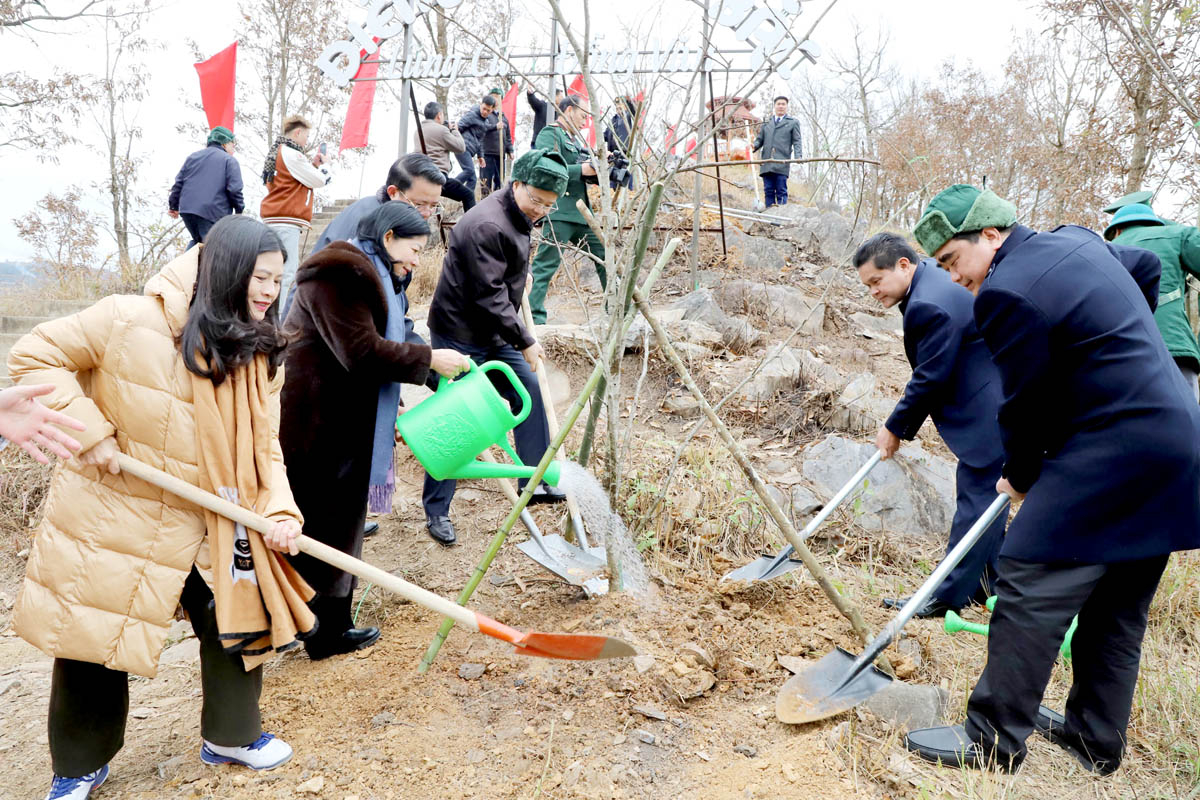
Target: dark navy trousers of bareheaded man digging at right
[976,574]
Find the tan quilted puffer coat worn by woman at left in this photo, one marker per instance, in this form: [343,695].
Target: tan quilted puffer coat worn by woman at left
[112,554]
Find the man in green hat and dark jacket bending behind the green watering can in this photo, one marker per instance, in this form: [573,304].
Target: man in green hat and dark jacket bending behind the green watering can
[476,309]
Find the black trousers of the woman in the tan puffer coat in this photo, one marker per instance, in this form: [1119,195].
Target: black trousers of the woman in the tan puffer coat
[91,702]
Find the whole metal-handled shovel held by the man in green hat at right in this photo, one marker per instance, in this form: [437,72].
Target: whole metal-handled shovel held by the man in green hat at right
[841,682]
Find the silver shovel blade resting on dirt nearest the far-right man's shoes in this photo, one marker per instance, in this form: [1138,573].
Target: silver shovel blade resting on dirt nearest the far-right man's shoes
[817,694]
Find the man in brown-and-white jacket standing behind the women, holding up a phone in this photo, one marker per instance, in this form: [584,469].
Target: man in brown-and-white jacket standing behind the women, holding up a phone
[291,178]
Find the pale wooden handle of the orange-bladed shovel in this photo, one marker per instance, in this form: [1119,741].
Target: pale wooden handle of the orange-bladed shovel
[308,545]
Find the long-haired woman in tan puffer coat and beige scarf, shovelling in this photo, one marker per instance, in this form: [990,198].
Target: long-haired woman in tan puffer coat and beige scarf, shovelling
[187,380]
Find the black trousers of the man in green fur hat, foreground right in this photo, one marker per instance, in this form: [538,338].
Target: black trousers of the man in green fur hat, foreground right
[1037,603]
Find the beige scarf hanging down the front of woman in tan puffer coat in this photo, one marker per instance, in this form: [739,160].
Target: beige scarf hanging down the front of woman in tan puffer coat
[261,601]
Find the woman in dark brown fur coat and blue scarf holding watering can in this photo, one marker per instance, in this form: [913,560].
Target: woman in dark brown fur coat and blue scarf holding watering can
[346,362]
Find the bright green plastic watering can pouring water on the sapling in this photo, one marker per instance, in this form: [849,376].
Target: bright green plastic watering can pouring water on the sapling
[463,419]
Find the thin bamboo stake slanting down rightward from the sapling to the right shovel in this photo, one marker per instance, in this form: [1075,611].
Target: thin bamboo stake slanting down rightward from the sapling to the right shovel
[785,526]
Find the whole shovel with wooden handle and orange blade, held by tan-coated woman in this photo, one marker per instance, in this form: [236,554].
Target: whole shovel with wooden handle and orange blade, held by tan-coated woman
[577,647]
